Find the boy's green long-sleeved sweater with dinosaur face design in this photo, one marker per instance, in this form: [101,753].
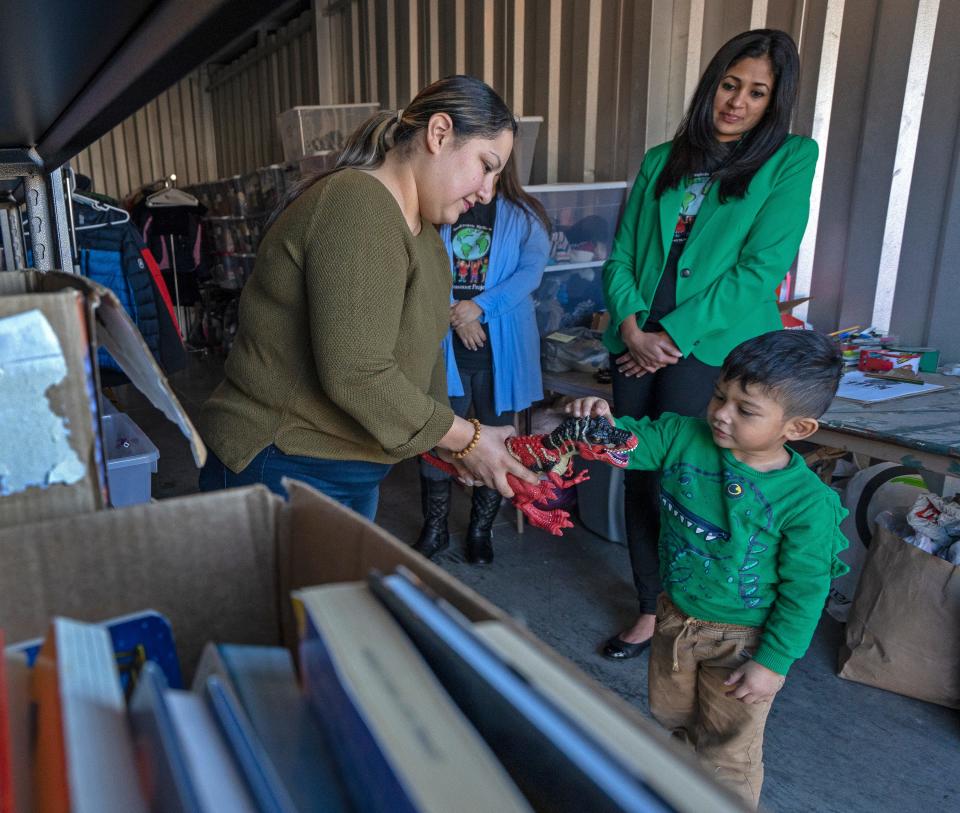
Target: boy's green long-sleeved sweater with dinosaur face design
[740,546]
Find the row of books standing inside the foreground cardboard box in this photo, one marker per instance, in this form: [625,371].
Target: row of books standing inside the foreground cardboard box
[401,705]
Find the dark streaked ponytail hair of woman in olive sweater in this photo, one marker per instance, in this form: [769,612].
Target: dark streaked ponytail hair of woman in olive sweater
[475,109]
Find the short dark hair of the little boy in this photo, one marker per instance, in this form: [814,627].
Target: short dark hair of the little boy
[800,368]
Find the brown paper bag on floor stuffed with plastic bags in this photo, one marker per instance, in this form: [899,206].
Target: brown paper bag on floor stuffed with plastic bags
[903,633]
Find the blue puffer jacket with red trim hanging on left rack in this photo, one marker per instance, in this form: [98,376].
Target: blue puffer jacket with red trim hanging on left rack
[115,256]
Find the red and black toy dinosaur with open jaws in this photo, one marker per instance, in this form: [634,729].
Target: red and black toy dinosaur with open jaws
[551,456]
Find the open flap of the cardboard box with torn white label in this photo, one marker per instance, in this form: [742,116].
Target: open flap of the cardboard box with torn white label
[117,333]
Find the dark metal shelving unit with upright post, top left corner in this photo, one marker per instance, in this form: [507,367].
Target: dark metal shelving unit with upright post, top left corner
[71,70]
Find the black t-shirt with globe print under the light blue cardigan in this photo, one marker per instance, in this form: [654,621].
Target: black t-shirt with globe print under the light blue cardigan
[471,238]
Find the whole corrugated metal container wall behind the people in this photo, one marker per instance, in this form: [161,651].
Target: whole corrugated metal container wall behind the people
[610,78]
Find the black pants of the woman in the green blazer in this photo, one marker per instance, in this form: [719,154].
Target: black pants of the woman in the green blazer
[684,388]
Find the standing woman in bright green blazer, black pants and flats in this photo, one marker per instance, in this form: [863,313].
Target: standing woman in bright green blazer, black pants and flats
[714,220]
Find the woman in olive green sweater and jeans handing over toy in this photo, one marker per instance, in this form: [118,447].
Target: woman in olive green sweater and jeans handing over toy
[336,371]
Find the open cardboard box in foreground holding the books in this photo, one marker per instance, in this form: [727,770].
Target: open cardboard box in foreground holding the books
[221,567]
